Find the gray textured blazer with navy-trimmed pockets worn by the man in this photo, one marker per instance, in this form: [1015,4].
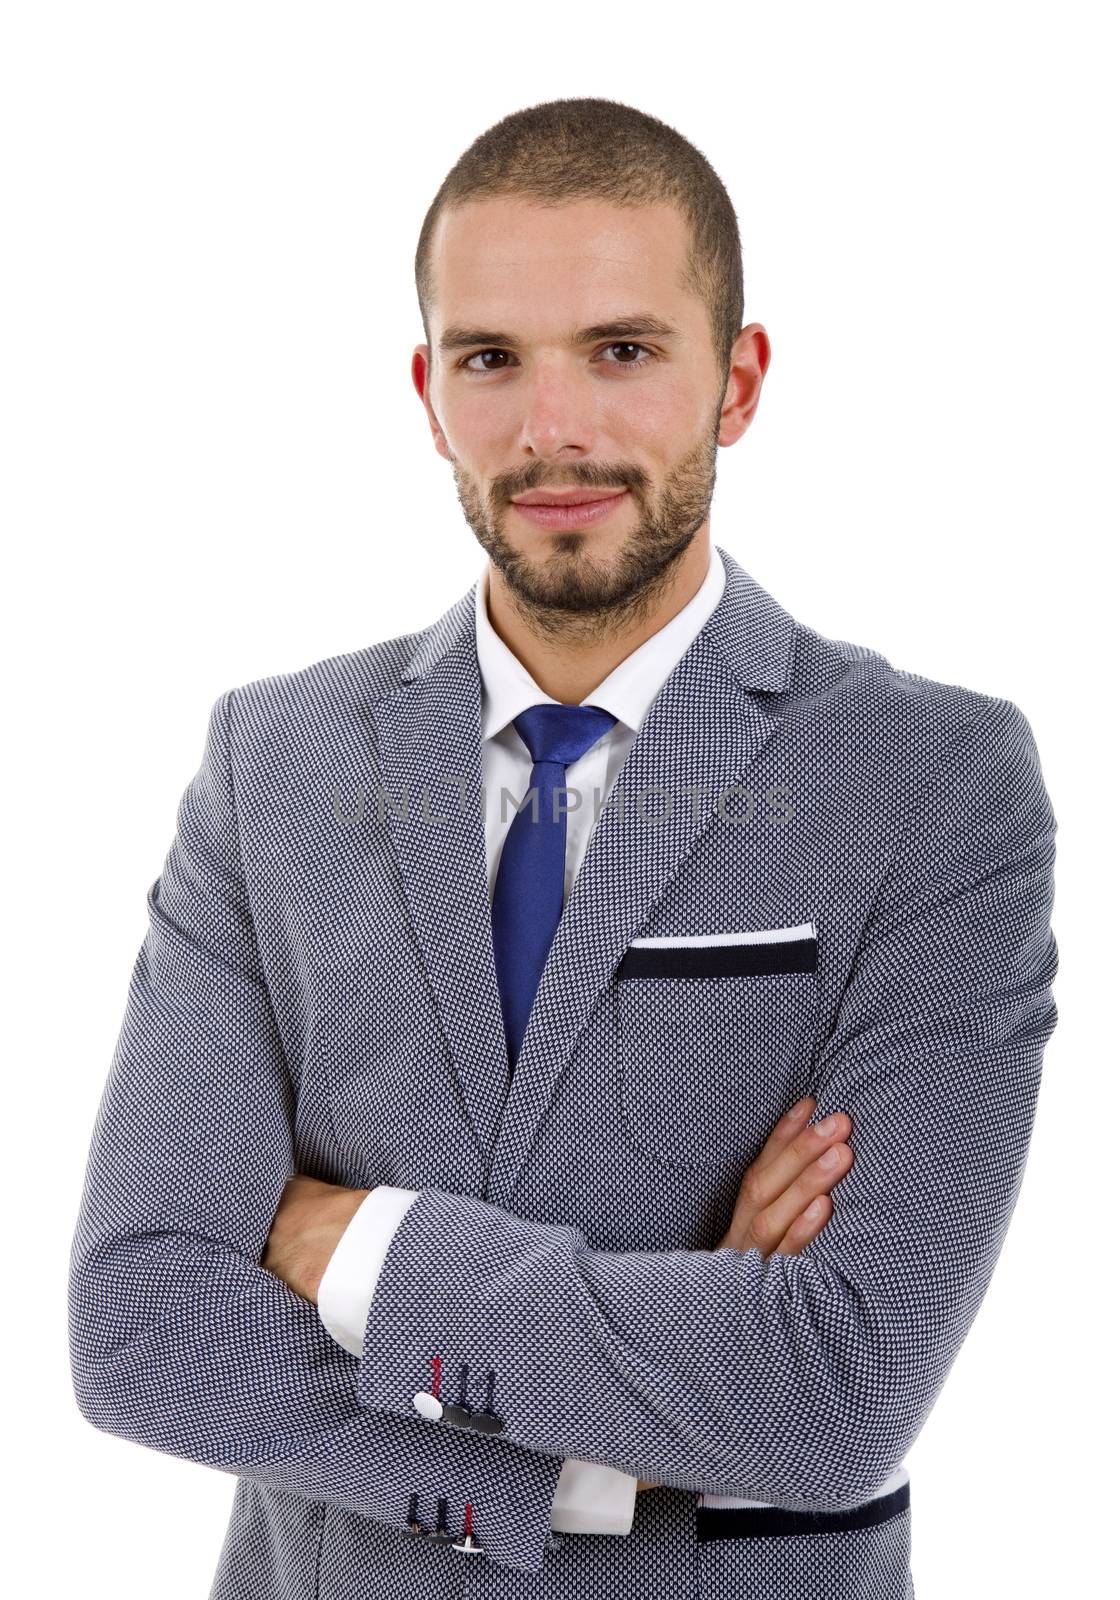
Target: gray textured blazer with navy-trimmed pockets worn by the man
[316,993]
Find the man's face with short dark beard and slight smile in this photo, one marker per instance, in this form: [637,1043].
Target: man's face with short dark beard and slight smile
[626,410]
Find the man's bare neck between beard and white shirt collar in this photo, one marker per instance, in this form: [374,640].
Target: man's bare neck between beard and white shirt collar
[572,663]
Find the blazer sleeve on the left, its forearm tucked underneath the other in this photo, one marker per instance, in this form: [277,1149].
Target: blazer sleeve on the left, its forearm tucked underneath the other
[180,1338]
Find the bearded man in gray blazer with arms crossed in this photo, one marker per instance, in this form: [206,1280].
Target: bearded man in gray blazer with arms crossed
[458,1172]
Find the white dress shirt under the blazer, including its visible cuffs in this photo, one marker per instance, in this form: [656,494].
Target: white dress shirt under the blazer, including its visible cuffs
[590,1497]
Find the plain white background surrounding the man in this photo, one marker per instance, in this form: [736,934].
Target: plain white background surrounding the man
[217,470]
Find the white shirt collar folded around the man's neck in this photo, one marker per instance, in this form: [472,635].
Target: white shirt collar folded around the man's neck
[508,689]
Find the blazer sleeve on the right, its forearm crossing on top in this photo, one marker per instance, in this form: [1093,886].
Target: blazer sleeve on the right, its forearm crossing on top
[796,1380]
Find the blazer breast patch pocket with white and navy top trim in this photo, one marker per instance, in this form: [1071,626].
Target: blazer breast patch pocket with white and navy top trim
[713,1038]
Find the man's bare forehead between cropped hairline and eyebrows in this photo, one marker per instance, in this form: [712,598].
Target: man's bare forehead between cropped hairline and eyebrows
[518,260]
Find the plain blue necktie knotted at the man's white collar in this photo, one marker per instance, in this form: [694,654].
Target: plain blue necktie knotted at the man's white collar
[529,889]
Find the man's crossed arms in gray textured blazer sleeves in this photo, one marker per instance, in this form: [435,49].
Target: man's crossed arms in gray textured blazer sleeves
[801,1380]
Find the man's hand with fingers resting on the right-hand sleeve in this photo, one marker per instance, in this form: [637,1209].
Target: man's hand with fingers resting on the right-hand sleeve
[783,1198]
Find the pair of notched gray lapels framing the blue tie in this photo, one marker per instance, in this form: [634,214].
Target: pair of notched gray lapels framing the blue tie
[698,740]
